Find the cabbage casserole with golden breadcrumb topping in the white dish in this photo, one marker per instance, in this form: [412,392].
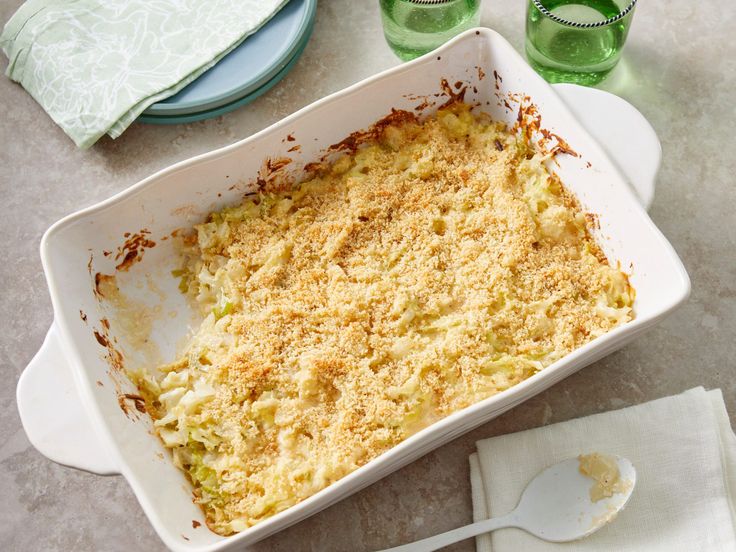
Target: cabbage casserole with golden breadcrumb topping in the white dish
[438,266]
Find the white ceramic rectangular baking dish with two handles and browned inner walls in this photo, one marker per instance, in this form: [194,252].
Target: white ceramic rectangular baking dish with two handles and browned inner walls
[82,424]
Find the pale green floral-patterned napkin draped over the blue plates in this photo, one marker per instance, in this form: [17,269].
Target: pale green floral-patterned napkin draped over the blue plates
[95,65]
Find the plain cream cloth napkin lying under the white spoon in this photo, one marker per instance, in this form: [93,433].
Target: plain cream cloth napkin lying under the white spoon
[684,452]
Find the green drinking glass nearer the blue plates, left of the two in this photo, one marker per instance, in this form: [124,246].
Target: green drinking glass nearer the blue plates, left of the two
[415,27]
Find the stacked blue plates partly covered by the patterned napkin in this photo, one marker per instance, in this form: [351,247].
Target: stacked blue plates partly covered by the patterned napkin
[248,71]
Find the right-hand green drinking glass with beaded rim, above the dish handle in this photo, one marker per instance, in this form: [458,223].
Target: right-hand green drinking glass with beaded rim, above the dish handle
[578,41]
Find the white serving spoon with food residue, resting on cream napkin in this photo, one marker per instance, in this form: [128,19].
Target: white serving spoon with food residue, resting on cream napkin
[555,506]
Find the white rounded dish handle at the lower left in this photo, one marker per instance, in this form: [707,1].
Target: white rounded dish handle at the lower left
[53,414]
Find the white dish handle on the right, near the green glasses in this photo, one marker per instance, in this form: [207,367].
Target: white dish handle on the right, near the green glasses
[622,131]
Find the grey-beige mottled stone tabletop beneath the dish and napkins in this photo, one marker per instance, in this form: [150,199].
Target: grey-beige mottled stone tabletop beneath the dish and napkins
[679,70]
